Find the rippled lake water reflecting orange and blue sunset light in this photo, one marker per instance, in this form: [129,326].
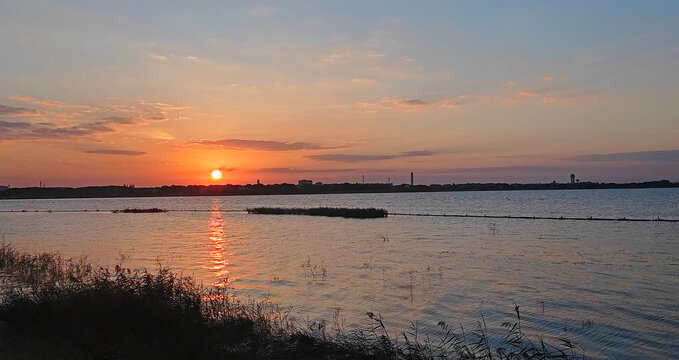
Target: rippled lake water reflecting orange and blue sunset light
[613,287]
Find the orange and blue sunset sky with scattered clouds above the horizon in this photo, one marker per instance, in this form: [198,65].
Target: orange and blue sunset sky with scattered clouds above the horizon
[164,92]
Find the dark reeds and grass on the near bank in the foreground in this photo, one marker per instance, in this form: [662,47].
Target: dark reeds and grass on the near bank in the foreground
[69,309]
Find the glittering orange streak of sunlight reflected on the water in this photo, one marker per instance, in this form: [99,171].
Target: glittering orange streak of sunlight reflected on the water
[219,263]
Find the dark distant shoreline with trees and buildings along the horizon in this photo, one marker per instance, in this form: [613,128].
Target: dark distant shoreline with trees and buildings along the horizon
[292,189]
